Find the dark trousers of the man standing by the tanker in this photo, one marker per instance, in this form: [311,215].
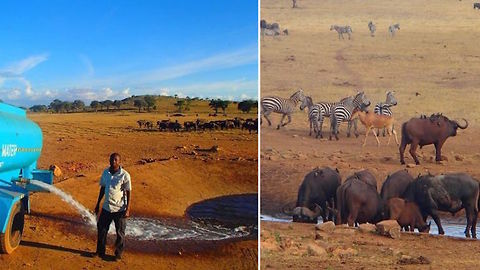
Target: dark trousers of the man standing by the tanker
[103,225]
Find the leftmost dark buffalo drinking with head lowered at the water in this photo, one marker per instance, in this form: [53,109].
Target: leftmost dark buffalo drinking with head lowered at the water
[316,191]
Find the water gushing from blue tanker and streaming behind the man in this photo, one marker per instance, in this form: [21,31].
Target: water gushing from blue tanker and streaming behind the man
[152,229]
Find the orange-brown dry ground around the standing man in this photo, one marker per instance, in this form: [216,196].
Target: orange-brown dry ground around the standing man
[80,144]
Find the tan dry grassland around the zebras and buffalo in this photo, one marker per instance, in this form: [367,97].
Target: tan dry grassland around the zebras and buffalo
[432,64]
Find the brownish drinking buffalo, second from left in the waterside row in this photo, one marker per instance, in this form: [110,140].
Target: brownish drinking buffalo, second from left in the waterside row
[359,202]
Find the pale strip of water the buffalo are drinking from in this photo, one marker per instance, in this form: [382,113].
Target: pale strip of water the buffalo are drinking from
[452,226]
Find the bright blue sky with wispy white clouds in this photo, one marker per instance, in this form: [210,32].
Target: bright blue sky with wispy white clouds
[98,50]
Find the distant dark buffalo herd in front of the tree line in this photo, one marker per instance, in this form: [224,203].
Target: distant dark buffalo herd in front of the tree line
[201,125]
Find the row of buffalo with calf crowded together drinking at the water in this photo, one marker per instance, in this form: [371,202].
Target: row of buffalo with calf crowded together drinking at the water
[405,199]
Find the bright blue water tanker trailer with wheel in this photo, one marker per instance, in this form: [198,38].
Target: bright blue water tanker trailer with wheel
[21,144]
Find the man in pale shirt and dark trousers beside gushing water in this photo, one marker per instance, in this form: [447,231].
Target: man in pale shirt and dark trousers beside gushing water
[115,184]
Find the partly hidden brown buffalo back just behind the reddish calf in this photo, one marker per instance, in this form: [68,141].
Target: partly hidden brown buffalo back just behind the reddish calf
[395,185]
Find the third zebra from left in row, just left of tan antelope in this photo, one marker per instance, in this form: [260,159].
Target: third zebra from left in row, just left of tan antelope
[343,111]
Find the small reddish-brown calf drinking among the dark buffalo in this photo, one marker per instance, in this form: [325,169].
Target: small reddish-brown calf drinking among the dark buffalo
[407,214]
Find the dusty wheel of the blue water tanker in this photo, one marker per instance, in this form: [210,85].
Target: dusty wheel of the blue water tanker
[10,240]
